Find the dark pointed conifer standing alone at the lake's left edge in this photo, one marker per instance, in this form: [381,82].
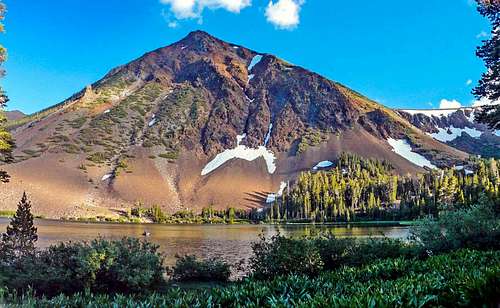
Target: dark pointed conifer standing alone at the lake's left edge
[21,235]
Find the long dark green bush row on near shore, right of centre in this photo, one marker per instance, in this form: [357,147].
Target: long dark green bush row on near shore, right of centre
[310,256]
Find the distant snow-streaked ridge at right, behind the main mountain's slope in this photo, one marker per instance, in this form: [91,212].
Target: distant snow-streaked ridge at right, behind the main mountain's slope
[457,128]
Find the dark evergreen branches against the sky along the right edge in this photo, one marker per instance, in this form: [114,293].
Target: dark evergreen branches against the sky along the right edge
[489,52]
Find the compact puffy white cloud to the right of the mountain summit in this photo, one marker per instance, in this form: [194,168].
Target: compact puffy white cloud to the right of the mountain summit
[284,14]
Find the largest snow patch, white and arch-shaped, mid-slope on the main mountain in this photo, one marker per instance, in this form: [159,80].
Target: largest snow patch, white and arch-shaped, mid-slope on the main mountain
[241,152]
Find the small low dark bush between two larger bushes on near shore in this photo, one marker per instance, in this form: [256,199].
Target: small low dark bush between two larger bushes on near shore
[189,268]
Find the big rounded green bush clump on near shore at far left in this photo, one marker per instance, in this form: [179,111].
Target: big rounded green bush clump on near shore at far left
[102,266]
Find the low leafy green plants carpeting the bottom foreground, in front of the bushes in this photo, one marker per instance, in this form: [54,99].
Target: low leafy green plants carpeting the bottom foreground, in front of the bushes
[462,278]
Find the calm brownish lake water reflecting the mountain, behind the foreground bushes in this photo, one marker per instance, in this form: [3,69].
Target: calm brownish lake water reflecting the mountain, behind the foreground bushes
[229,242]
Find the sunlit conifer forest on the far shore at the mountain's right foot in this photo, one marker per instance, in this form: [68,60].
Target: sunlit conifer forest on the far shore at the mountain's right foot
[358,189]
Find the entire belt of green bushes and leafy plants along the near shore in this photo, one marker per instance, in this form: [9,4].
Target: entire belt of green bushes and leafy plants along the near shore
[315,271]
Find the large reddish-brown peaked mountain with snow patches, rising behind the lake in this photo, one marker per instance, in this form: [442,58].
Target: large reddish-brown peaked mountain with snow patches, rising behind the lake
[201,122]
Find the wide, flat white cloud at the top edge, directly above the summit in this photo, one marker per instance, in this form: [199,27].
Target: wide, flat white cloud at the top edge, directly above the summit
[189,9]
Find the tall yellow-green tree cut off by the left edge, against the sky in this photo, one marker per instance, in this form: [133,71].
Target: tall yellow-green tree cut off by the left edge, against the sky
[6,140]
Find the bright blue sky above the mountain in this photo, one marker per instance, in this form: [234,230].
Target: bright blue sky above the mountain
[405,54]
